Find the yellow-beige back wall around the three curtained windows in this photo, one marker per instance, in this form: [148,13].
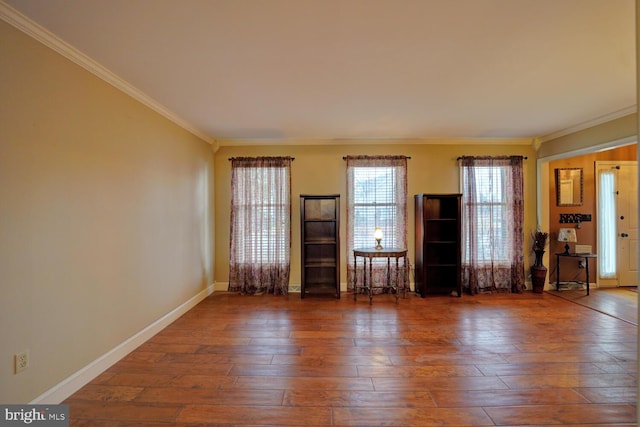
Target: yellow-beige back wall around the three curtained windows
[320,169]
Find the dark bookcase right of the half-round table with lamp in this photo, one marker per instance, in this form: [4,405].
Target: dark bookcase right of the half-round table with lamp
[437,244]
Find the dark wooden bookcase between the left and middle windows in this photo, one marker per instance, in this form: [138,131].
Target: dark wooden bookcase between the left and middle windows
[320,244]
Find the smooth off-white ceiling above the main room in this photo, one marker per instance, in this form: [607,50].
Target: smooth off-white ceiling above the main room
[333,69]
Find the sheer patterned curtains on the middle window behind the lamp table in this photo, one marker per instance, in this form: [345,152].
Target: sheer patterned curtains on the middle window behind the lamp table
[376,197]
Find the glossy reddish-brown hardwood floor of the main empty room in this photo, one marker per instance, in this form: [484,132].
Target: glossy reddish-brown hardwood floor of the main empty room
[506,360]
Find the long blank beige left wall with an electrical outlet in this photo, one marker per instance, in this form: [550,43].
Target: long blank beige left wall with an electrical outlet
[105,216]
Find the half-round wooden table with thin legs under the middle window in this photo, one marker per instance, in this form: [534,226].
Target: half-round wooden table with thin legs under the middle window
[388,253]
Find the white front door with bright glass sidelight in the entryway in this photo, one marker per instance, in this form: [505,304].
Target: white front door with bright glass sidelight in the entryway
[617,187]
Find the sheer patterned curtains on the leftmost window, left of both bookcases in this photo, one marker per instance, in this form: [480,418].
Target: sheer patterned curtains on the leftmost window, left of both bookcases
[260,225]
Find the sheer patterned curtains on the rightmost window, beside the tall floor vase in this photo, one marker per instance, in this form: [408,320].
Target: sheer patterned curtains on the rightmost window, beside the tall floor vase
[492,220]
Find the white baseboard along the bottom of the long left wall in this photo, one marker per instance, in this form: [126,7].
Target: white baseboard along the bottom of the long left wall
[75,381]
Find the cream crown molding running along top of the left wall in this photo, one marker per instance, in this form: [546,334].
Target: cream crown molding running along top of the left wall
[44,36]
